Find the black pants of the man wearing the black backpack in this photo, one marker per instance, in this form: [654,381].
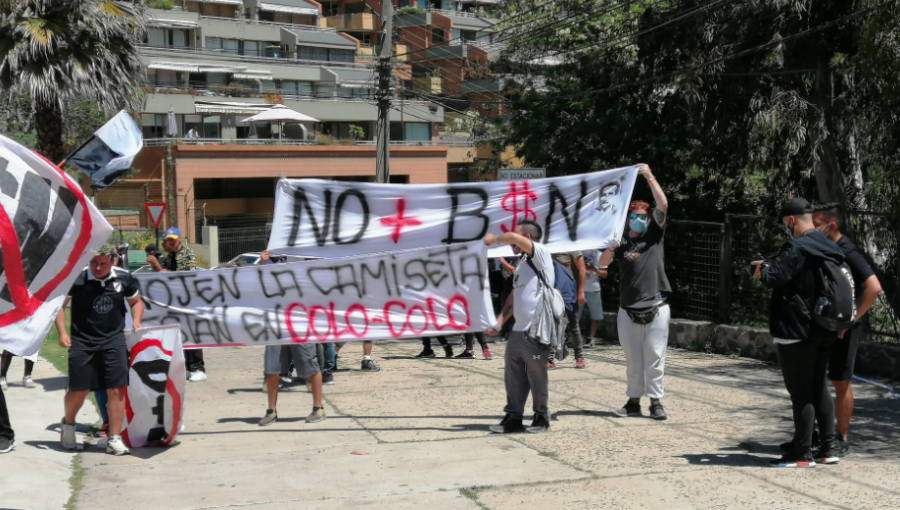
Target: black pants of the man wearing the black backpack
[804,366]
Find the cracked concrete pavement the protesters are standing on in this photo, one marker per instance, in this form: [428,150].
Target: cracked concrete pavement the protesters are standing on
[415,436]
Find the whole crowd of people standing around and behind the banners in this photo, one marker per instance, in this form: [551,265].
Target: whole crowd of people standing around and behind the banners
[809,350]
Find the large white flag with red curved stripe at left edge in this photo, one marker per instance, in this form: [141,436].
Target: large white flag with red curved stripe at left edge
[48,233]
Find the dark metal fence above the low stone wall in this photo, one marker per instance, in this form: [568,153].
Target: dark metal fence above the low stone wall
[704,262]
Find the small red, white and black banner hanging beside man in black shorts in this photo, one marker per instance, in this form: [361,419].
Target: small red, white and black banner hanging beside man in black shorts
[154,398]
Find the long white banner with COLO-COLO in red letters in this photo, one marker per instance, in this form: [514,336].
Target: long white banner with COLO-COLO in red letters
[428,291]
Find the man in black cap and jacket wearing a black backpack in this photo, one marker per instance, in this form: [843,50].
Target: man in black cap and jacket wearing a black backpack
[812,301]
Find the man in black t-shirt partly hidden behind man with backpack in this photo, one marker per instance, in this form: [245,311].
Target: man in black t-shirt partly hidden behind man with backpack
[827,218]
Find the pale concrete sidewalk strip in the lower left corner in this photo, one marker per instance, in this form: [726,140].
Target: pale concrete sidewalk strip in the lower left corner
[36,474]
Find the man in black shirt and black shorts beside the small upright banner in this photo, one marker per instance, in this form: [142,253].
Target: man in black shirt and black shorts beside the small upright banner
[98,358]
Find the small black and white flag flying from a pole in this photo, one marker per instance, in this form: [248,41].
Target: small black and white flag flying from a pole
[108,154]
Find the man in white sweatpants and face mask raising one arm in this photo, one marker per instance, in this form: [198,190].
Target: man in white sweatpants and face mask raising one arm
[643,319]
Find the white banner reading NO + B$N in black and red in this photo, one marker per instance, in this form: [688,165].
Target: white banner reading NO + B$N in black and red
[323,218]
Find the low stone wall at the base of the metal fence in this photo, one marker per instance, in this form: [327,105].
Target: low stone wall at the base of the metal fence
[873,359]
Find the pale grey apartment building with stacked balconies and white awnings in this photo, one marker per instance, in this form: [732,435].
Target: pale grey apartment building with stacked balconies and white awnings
[214,63]
